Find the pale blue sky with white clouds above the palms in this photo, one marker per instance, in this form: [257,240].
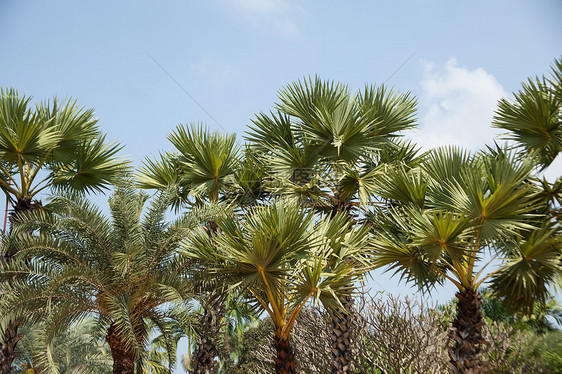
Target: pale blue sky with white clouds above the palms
[132,60]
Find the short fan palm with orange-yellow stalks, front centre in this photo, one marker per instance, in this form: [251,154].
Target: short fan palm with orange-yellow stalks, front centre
[279,260]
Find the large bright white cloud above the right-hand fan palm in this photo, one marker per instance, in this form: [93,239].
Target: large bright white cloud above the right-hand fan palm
[457,106]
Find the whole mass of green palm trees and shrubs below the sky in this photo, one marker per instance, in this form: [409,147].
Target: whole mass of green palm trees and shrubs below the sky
[274,237]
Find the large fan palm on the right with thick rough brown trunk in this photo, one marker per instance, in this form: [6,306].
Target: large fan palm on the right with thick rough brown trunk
[447,213]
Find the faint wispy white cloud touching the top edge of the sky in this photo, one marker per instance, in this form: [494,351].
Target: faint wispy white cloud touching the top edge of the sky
[276,14]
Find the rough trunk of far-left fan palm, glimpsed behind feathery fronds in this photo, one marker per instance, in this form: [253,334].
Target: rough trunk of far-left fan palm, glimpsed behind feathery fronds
[10,336]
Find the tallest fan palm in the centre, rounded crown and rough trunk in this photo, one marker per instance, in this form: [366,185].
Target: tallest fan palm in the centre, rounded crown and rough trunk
[325,147]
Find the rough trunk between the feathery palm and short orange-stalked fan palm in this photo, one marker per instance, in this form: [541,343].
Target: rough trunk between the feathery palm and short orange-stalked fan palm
[213,314]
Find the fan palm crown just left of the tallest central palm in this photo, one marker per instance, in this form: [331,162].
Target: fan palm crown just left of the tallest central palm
[205,166]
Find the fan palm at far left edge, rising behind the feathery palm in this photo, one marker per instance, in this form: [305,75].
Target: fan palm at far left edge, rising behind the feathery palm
[57,146]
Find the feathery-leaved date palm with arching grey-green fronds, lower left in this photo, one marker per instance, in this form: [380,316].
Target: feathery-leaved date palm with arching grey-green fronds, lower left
[122,271]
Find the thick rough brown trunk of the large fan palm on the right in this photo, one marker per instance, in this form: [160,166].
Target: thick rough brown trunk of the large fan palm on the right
[466,343]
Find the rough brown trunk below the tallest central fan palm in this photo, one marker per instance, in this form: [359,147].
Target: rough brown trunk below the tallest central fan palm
[341,324]
